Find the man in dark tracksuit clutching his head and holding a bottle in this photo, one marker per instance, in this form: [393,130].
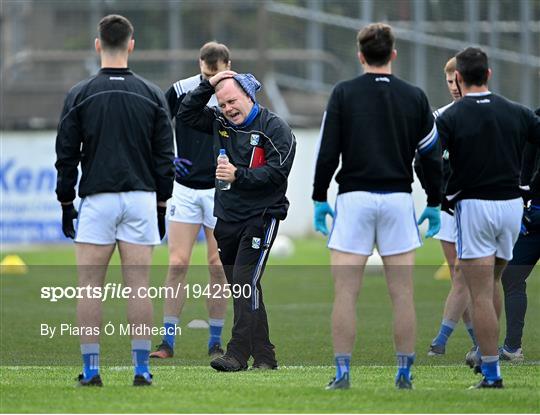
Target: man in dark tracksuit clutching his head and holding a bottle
[261,149]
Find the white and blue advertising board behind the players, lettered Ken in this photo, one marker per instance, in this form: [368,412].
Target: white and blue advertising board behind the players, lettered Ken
[29,212]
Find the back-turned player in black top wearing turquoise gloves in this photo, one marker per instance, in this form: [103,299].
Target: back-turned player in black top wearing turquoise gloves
[376,123]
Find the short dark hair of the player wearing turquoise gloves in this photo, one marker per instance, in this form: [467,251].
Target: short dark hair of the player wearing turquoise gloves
[376,42]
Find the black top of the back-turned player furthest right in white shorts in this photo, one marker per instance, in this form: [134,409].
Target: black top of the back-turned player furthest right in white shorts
[485,136]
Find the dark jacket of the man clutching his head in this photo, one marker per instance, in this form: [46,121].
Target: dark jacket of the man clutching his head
[256,191]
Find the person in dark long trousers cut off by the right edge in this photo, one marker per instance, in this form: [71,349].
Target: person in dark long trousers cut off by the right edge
[526,254]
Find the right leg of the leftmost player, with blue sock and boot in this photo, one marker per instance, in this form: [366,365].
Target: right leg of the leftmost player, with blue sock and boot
[136,262]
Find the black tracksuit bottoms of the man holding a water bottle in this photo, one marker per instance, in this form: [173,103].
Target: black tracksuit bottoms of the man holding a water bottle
[243,249]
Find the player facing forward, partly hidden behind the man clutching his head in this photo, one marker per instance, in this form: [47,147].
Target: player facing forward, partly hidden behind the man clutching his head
[192,207]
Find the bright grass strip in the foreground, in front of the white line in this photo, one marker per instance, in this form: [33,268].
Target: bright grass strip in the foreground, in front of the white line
[290,389]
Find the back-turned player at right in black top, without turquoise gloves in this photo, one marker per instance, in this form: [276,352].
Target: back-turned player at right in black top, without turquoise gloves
[485,135]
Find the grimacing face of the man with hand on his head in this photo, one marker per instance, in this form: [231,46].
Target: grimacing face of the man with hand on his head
[233,102]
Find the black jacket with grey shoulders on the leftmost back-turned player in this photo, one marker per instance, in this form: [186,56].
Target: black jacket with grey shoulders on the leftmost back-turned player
[116,124]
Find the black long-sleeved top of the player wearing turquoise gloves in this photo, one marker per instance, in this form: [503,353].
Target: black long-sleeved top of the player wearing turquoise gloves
[375,123]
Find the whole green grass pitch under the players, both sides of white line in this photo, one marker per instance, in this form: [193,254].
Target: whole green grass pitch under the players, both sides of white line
[37,374]
